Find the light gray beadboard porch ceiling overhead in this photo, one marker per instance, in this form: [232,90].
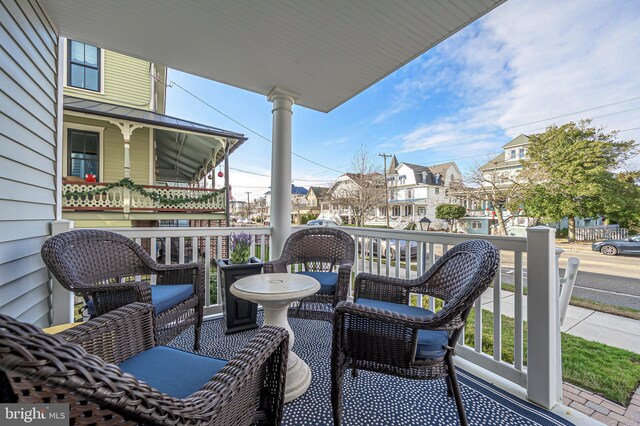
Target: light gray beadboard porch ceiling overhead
[326,51]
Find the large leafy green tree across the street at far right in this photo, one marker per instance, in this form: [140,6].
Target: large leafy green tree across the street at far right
[570,173]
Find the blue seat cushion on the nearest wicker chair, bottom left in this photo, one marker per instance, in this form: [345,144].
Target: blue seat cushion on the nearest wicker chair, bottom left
[172,371]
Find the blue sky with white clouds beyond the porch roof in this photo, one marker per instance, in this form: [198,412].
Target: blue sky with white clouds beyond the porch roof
[525,65]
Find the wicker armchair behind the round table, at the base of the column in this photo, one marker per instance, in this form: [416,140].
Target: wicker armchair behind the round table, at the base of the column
[320,250]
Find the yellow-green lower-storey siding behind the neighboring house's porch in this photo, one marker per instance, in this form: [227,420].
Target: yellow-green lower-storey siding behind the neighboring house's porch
[113,151]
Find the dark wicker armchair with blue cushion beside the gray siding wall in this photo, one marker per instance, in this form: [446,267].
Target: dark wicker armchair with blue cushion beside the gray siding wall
[110,270]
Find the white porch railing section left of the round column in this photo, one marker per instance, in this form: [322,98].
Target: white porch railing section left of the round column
[183,245]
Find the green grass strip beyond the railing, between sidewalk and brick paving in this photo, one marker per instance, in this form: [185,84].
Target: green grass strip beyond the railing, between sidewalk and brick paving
[611,372]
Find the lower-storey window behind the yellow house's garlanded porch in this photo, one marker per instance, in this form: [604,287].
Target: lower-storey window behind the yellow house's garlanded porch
[82,149]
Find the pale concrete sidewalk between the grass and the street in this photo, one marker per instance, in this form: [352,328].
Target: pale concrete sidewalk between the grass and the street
[596,326]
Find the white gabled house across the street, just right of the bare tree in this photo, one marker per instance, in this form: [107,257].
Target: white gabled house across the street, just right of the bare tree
[415,191]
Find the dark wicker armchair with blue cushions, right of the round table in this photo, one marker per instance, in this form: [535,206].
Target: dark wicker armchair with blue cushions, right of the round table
[382,333]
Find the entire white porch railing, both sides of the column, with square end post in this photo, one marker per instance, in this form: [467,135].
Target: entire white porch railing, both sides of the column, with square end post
[542,376]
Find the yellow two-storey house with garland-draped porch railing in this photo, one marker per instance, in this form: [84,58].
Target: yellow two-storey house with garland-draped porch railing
[114,127]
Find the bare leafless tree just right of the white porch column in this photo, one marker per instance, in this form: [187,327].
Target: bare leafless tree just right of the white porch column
[363,189]
